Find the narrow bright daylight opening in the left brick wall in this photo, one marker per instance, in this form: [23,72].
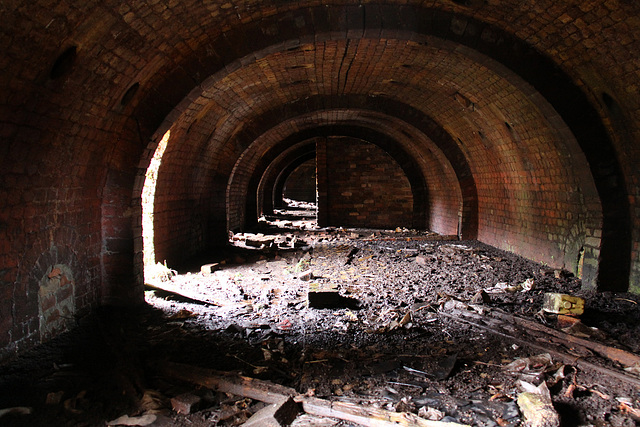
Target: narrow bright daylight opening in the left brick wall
[148,195]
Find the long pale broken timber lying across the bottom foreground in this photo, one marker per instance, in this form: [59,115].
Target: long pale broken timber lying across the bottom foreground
[274,393]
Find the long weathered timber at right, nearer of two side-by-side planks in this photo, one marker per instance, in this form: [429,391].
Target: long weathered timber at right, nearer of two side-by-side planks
[459,316]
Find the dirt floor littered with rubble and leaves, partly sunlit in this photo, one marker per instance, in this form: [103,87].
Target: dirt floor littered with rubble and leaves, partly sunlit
[397,320]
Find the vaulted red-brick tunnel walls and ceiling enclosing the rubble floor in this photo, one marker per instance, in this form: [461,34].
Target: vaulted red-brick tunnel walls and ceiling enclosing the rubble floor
[512,123]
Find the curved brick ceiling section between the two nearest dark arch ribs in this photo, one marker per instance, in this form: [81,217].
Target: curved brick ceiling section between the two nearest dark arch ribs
[508,136]
